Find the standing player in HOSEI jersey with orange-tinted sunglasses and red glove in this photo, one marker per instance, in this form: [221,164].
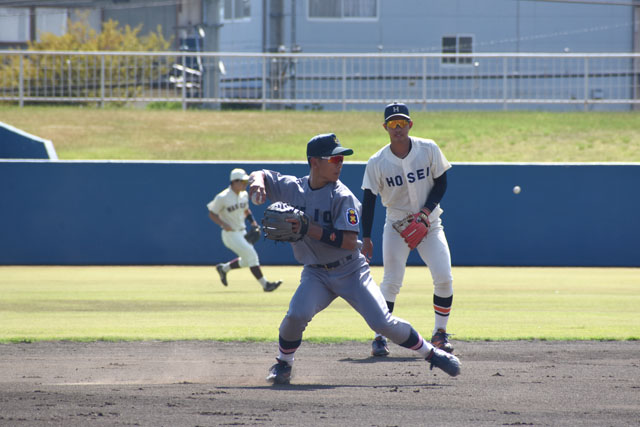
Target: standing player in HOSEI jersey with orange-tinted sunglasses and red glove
[410,176]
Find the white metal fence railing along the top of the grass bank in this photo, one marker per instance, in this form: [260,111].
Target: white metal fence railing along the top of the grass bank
[321,80]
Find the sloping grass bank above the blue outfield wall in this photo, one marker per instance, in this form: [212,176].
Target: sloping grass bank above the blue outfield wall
[93,133]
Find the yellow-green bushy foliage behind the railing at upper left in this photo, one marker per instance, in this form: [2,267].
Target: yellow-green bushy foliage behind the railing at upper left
[87,76]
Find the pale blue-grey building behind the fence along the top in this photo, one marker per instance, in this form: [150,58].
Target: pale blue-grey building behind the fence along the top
[360,26]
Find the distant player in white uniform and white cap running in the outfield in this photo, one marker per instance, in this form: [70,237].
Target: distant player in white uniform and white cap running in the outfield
[229,209]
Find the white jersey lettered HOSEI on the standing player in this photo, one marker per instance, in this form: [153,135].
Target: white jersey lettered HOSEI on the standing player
[404,184]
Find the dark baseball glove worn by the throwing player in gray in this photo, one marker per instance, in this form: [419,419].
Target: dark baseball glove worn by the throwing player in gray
[276,226]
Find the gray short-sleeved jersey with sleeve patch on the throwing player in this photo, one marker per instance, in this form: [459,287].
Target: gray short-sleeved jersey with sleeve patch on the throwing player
[333,206]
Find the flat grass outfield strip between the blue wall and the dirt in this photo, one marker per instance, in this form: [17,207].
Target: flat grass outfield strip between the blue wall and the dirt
[183,303]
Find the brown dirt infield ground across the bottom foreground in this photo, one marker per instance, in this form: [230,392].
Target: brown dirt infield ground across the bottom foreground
[212,383]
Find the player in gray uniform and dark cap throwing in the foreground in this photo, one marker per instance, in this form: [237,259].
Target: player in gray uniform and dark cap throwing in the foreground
[330,252]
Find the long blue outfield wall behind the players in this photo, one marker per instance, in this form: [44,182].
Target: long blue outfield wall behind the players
[137,213]
